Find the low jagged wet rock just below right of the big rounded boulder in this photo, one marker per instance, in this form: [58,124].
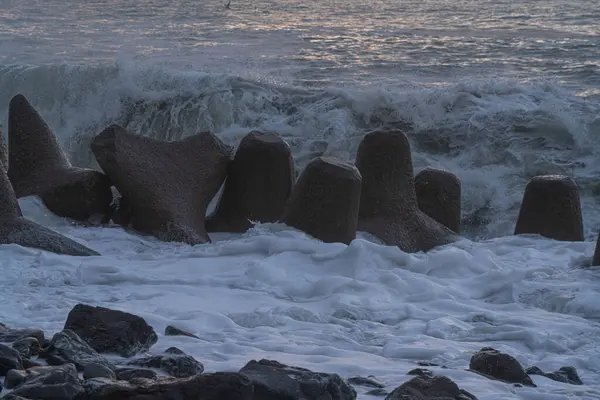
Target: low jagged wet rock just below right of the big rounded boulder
[175,362]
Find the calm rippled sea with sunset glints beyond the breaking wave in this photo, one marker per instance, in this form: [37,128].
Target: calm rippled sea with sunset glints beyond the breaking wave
[314,43]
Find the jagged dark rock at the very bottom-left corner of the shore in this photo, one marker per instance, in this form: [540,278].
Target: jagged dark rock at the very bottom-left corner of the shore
[51,383]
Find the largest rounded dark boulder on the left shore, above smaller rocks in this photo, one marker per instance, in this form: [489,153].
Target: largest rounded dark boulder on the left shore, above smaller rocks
[111,331]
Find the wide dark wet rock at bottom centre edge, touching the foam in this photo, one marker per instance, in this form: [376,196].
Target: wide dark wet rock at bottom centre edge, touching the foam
[276,381]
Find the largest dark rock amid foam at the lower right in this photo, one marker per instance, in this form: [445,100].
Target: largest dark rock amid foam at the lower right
[501,366]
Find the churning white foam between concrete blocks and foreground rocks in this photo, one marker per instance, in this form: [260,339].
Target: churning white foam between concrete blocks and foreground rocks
[356,310]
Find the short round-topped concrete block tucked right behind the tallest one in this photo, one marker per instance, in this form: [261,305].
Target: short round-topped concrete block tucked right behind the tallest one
[438,195]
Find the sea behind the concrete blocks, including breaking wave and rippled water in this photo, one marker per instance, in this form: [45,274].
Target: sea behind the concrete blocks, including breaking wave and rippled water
[495,91]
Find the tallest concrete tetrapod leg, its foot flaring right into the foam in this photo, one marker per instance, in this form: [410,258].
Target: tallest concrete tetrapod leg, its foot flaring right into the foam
[388,204]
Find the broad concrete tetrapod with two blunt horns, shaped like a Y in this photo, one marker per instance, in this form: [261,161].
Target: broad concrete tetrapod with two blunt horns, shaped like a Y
[168,184]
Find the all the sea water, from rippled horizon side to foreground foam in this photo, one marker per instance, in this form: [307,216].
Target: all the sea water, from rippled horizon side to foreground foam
[494,91]
